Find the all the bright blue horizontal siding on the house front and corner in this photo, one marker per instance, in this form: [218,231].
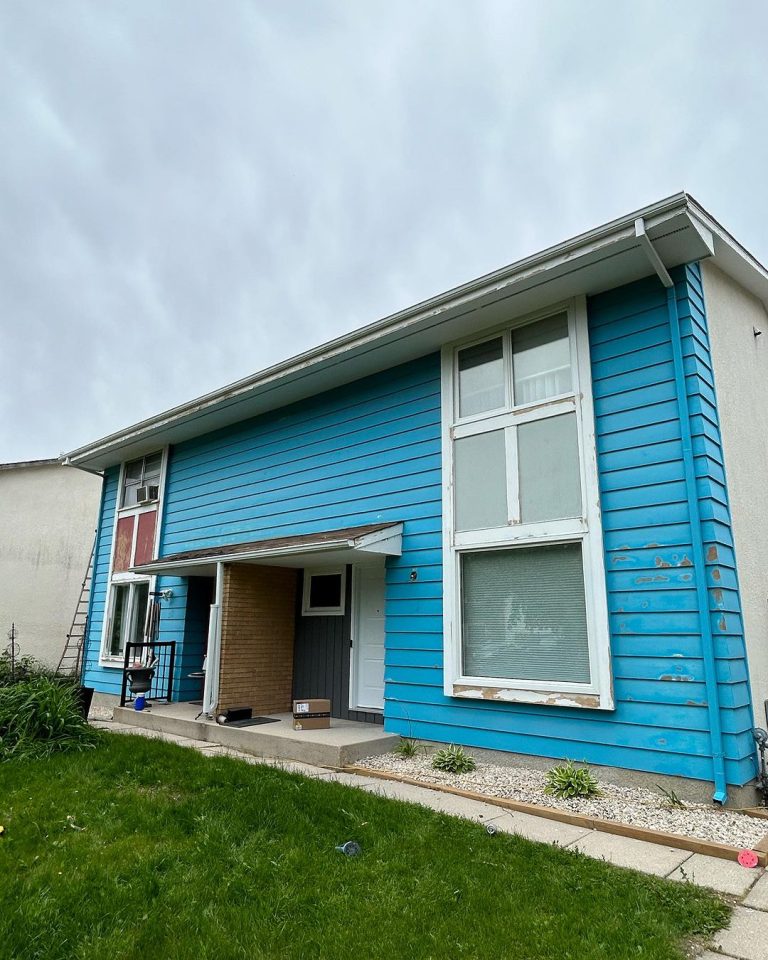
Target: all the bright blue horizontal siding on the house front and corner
[371,451]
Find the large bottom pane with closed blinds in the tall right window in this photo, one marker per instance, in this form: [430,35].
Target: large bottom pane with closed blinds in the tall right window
[524,614]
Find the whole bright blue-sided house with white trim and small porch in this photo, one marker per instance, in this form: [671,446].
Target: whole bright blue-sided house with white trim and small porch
[524,515]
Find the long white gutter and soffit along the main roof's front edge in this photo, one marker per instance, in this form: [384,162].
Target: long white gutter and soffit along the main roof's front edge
[610,252]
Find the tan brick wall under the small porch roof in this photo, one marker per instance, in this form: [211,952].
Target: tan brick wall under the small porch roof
[257,636]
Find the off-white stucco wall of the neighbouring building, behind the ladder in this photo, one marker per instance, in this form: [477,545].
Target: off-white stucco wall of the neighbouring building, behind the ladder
[48,515]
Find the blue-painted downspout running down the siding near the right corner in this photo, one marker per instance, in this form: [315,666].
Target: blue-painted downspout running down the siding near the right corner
[697,539]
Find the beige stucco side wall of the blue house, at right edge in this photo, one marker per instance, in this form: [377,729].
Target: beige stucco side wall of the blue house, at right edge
[741,378]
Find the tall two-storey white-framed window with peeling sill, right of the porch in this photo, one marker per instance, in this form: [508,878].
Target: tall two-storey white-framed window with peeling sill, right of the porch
[525,612]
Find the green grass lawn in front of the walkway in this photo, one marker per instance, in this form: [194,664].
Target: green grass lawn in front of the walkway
[142,848]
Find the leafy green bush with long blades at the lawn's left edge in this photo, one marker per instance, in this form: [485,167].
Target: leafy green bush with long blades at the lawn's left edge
[39,717]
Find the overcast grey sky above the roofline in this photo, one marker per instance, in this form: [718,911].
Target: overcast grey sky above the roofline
[190,191]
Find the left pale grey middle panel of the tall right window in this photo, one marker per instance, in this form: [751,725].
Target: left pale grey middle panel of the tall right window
[481,481]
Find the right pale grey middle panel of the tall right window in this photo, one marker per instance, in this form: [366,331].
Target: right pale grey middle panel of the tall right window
[548,454]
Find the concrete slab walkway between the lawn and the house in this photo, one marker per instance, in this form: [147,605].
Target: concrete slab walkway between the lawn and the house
[745,939]
